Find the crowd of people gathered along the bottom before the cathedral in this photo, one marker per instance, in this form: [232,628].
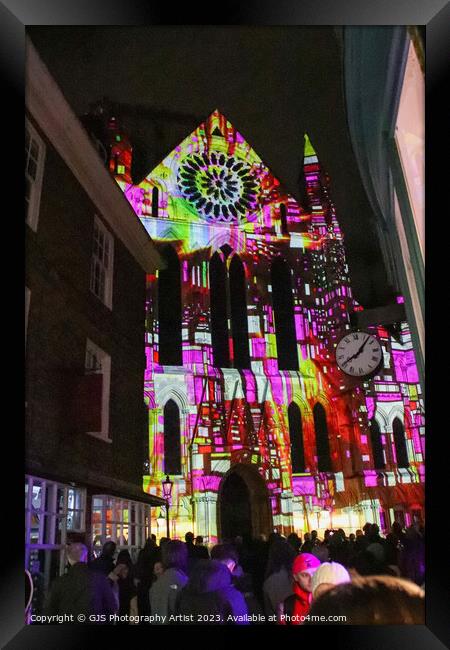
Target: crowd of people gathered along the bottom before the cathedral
[361,579]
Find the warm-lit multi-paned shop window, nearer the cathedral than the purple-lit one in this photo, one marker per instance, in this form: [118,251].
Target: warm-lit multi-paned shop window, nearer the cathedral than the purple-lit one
[125,522]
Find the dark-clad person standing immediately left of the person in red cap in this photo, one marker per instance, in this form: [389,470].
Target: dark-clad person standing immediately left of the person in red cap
[278,583]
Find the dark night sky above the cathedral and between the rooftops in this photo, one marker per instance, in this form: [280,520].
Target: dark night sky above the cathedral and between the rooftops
[273,83]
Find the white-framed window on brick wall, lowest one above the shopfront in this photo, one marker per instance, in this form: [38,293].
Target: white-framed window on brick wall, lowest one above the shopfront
[97,381]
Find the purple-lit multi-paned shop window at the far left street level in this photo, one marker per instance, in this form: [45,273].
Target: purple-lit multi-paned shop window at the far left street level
[54,513]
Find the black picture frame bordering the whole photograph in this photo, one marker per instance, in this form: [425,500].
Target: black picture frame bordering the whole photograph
[14,17]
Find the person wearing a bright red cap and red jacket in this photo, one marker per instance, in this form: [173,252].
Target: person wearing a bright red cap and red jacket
[296,606]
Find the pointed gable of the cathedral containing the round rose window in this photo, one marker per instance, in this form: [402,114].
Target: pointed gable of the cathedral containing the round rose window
[215,177]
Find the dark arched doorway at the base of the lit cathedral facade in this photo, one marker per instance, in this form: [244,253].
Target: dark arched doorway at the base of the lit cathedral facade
[243,505]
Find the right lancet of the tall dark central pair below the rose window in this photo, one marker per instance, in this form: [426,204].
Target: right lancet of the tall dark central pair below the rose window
[238,308]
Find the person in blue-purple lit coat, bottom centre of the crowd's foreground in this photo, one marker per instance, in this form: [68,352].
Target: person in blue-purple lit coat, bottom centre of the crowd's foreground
[210,598]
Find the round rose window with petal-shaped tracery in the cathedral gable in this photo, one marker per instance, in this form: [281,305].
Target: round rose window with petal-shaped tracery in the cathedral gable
[222,188]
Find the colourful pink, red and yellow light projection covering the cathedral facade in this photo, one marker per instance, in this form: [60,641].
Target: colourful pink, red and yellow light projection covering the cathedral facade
[213,197]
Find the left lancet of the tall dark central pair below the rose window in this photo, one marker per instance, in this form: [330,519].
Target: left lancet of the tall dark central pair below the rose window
[218,299]
